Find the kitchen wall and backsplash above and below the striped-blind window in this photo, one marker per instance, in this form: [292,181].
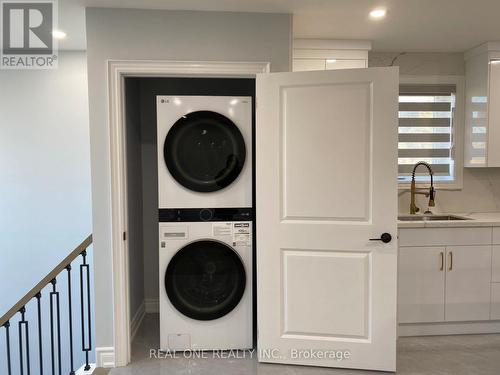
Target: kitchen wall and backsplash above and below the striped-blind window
[481,186]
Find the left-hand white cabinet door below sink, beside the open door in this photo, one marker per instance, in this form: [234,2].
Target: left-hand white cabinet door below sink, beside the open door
[421,284]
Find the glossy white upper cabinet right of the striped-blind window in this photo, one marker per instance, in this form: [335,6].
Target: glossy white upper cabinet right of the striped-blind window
[482,125]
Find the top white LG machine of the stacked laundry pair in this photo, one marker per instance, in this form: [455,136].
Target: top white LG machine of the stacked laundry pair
[204,151]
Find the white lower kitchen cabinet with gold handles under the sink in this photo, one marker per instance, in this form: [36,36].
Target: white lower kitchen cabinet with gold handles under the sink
[464,297]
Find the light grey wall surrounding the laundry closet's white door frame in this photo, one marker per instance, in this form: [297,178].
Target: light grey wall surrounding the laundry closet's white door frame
[162,35]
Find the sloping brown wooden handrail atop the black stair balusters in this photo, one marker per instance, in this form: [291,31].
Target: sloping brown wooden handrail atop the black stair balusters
[46,280]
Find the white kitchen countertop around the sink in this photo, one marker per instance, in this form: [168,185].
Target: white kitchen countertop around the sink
[486,219]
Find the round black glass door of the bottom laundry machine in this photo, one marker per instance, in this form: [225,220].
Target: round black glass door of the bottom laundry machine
[205,280]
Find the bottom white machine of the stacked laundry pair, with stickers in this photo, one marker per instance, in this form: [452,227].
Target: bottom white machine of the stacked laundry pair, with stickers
[206,285]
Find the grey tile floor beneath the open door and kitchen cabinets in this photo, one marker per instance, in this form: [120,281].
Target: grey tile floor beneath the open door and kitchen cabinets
[440,355]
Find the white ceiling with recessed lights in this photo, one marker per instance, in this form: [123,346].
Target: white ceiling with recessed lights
[410,25]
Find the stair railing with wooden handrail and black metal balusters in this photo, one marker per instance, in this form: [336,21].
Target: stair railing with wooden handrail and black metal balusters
[55,318]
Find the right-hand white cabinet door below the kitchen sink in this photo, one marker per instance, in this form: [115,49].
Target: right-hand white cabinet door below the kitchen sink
[468,283]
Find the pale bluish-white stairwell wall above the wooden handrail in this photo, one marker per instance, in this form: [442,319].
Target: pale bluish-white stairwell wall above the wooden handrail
[45,203]
